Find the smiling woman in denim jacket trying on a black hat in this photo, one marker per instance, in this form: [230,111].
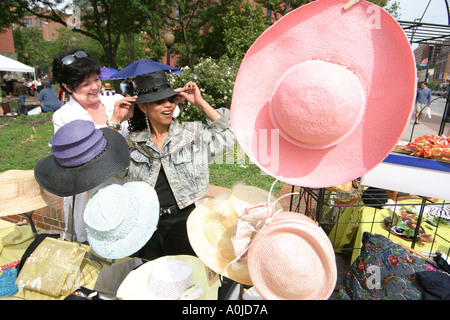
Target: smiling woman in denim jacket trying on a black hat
[173,157]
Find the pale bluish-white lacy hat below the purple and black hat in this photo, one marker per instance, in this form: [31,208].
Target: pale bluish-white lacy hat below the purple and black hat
[121,219]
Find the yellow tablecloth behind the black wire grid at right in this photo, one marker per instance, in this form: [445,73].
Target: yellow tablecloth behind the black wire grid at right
[354,221]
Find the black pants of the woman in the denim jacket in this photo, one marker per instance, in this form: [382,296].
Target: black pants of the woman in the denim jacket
[170,237]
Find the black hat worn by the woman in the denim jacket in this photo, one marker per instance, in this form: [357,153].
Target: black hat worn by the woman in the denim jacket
[153,86]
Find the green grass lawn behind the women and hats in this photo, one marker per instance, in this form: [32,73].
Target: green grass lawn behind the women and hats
[24,140]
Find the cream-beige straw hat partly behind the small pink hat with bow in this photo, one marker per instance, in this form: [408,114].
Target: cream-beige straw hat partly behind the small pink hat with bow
[212,224]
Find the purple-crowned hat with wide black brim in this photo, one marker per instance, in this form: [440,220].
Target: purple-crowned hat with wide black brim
[82,158]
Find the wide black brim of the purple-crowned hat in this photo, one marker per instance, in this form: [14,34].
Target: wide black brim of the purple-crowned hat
[69,181]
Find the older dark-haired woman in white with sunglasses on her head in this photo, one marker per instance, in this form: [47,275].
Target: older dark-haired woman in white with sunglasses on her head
[78,74]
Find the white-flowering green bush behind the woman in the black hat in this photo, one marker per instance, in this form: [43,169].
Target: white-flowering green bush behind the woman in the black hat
[215,79]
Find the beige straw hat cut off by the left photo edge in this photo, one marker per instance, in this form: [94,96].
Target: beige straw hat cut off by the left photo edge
[20,193]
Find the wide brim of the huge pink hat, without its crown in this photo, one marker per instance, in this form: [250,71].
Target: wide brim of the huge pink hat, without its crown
[380,56]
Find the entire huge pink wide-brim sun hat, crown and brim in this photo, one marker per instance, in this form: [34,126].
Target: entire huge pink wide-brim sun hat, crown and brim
[325,94]
